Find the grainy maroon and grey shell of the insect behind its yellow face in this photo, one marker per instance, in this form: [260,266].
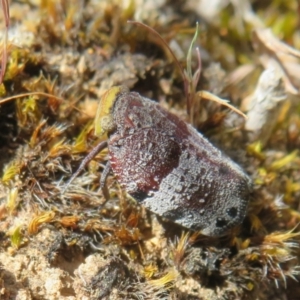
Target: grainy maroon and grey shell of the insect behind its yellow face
[171,169]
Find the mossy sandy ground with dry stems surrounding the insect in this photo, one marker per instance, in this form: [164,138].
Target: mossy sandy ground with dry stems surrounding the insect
[59,242]
